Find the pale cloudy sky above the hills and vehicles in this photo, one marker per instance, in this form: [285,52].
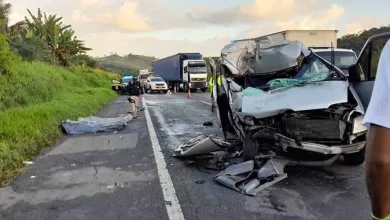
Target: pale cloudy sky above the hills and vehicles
[164,27]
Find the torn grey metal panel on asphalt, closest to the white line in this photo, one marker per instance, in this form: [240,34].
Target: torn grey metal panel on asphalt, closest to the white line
[197,146]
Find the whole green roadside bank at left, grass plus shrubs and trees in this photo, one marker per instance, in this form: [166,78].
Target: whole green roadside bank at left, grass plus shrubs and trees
[45,77]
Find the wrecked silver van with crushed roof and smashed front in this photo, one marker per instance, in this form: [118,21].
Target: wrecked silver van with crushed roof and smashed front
[308,109]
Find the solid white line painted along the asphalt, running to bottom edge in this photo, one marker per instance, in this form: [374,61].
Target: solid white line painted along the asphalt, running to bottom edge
[171,202]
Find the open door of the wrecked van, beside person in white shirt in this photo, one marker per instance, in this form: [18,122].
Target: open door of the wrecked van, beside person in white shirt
[364,71]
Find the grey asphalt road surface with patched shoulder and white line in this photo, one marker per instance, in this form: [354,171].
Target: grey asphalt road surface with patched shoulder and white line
[122,176]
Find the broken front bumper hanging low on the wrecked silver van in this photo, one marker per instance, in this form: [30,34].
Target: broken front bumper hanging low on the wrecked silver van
[286,142]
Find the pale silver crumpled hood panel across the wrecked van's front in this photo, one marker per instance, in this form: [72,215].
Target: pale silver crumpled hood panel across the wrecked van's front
[326,93]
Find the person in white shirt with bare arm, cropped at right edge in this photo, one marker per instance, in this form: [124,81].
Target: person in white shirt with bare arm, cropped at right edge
[377,118]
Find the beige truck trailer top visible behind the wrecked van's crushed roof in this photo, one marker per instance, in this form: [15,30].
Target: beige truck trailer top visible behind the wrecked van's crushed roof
[310,38]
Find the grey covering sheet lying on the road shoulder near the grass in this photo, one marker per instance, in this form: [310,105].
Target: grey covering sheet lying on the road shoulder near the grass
[94,124]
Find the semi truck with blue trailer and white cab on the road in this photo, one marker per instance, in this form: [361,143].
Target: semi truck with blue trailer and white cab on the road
[183,71]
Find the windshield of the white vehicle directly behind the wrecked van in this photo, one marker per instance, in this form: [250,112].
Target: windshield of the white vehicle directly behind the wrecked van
[342,59]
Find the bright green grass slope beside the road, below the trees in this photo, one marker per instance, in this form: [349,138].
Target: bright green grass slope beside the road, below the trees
[35,100]
